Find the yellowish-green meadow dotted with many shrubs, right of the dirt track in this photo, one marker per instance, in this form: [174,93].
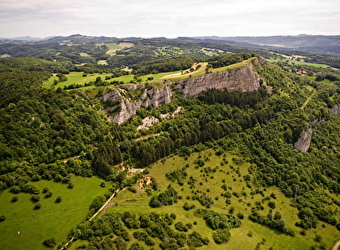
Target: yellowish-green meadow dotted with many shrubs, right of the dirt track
[232,174]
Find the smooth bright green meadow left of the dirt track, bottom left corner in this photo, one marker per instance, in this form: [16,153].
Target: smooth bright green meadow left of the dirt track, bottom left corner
[52,219]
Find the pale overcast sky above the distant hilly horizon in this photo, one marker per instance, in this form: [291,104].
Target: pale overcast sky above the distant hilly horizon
[168,18]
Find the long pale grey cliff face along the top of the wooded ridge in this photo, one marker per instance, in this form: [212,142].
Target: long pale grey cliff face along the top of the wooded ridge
[130,98]
